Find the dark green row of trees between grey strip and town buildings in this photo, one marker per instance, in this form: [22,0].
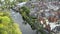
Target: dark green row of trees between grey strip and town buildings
[32,21]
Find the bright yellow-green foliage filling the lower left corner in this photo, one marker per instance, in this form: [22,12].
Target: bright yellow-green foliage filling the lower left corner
[7,26]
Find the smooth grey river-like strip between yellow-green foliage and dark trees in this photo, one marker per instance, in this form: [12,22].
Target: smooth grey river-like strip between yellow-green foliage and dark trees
[26,29]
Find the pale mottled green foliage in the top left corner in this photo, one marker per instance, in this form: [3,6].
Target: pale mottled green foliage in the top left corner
[7,4]
